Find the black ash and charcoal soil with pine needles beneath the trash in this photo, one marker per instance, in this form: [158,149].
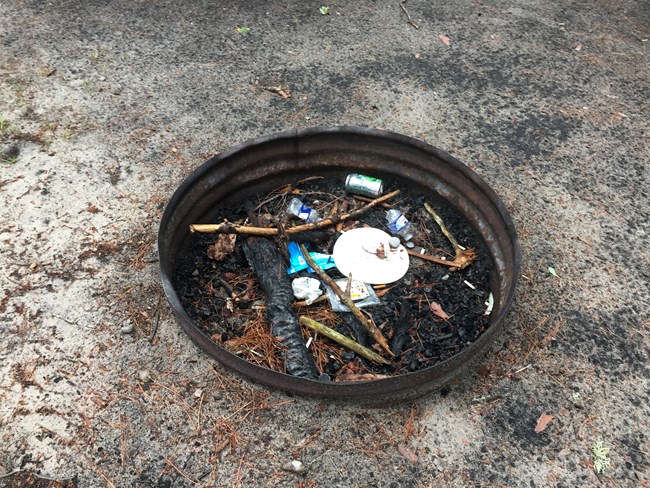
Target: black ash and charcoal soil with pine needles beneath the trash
[225,300]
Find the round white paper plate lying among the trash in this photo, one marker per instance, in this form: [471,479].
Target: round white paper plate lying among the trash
[358,251]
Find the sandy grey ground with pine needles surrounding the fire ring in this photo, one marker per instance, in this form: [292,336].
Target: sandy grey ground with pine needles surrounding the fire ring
[106,106]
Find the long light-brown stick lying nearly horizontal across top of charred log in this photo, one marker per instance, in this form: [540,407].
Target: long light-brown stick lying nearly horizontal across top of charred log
[229,228]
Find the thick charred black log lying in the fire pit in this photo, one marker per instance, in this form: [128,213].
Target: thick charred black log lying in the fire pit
[266,262]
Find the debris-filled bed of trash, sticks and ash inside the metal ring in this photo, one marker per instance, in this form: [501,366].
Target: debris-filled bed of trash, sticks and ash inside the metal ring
[418,312]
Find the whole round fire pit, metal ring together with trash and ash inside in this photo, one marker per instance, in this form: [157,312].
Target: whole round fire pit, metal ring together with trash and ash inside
[431,299]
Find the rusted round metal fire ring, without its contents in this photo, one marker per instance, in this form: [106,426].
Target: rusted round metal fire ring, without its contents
[269,162]
